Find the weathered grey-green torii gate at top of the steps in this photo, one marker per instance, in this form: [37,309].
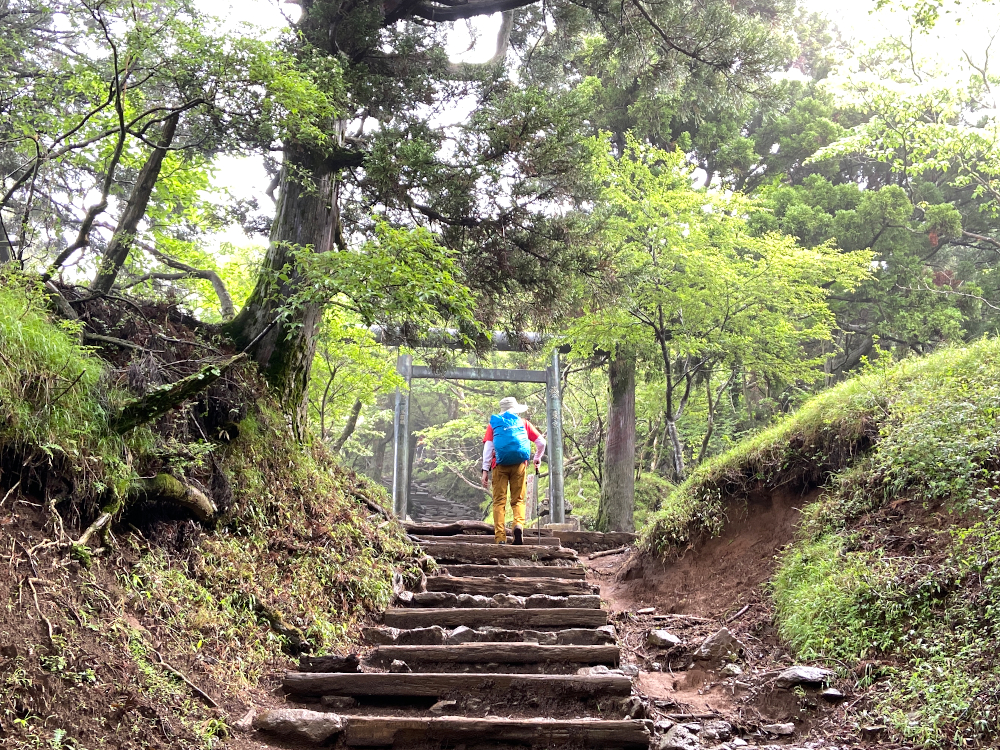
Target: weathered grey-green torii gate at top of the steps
[501,342]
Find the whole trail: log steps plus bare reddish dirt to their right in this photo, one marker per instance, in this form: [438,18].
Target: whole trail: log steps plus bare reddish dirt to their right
[451,668]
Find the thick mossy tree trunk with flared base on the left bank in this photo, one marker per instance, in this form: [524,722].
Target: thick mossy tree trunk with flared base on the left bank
[283,341]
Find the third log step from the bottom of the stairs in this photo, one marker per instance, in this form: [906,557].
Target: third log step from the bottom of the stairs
[497,653]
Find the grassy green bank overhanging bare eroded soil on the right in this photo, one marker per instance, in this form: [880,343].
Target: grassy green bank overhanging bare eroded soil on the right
[892,571]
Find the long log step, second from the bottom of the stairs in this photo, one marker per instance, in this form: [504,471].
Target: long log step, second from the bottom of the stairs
[435,685]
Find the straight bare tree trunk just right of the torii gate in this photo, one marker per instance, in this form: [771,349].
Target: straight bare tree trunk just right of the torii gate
[617,503]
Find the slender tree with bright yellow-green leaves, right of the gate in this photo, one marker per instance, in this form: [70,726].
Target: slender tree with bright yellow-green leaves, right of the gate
[690,287]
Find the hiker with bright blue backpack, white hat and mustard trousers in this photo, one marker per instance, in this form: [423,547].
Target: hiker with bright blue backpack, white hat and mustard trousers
[506,450]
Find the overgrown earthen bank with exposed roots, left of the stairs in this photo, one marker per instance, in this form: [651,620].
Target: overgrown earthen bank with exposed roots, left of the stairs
[301,556]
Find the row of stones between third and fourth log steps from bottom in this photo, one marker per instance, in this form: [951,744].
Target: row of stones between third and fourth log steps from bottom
[436,636]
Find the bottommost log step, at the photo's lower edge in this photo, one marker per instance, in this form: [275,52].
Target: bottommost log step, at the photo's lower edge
[398,731]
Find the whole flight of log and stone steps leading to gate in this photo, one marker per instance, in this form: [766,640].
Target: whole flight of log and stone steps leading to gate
[507,647]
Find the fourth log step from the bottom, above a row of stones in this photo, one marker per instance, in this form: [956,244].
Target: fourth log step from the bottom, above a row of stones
[518,619]
